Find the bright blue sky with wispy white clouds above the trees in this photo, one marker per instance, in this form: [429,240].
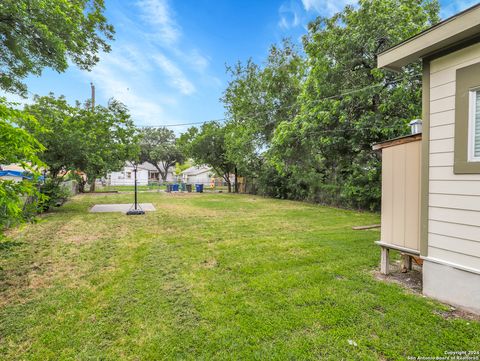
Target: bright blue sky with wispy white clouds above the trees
[168,60]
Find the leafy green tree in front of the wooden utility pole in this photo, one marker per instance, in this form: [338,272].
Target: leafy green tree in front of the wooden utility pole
[78,138]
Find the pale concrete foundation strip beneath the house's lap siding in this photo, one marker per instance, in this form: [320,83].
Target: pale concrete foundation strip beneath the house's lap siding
[452,285]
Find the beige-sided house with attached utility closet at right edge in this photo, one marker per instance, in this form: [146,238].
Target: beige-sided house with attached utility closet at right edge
[431,182]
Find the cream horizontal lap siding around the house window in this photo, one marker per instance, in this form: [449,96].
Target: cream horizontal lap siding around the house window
[454,199]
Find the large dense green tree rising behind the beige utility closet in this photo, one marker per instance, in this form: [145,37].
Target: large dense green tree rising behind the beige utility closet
[347,104]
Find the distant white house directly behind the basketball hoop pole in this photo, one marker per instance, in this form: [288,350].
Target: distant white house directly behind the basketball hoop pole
[146,173]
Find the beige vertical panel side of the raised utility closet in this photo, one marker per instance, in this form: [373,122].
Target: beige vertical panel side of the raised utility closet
[401,195]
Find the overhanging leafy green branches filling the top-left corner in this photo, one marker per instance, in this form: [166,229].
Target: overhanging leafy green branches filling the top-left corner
[49,33]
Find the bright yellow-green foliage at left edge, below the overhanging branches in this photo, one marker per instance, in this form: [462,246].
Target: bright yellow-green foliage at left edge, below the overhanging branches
[16,146]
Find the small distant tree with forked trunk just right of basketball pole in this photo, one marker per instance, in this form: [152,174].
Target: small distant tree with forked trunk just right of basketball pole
[159,147]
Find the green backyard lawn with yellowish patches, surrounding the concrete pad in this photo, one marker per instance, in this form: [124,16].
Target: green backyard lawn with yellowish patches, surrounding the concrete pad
[210,276]
